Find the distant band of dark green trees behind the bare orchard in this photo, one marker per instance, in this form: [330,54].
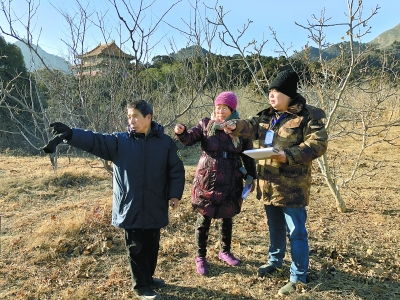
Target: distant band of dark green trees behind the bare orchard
[217,72]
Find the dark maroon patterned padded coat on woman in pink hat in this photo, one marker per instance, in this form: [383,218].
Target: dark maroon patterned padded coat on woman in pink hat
[218,182]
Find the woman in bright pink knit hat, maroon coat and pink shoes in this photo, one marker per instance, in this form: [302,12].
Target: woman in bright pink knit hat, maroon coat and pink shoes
[218,182]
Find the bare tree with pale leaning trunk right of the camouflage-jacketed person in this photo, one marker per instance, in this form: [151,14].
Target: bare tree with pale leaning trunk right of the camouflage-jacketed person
[355,102]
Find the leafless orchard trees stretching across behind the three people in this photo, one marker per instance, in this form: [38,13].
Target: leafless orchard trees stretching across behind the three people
[360,100]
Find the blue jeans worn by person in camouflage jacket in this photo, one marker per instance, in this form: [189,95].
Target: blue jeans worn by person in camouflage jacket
[293,221]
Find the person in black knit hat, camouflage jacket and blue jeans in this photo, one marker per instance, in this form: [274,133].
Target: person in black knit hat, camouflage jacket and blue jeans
[284,180]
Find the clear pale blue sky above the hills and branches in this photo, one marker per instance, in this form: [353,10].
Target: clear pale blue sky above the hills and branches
[280,16]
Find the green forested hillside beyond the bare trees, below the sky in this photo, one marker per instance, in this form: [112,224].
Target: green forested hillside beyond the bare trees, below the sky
[166,76]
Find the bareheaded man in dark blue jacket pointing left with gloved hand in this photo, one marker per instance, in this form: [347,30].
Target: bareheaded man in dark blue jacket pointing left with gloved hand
[148,175]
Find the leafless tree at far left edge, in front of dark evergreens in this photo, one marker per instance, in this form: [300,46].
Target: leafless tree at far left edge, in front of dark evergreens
[25,104]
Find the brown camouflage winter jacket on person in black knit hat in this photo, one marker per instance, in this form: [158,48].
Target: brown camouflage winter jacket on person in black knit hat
[302,136]
